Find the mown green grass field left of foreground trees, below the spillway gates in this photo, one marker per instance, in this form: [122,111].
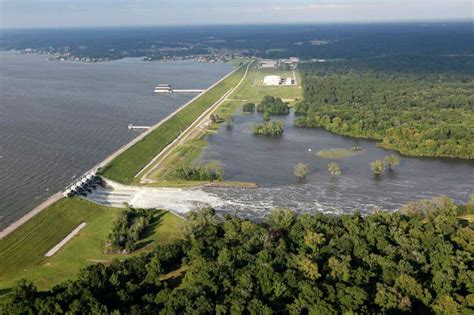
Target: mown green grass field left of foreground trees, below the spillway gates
[22,252]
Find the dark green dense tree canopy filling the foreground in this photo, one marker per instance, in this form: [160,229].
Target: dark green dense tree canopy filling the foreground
[418,260]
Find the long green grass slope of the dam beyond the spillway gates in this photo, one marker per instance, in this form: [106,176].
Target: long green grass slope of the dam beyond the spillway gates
[123,168]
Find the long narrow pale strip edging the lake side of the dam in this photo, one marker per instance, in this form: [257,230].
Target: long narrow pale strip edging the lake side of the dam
[58,195]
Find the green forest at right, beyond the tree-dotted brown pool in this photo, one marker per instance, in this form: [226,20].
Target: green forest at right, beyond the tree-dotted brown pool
[418,106]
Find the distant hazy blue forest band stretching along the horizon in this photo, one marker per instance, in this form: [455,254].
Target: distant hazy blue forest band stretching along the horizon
[267,41]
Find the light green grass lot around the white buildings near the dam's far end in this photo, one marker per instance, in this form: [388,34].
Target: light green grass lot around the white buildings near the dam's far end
[253,90]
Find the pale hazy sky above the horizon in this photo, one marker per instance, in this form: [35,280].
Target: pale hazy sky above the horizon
[87,13]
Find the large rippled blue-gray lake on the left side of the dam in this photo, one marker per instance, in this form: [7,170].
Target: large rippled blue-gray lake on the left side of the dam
[58,119]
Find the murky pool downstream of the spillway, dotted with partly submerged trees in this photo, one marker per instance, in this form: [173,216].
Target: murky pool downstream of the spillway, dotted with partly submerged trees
[269,161]
